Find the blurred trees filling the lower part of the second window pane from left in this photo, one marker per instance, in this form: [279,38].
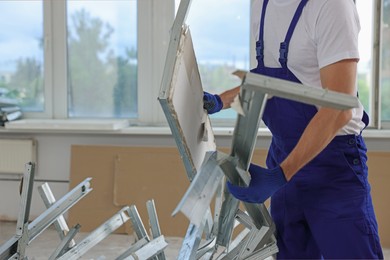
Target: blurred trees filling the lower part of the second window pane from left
[101,84]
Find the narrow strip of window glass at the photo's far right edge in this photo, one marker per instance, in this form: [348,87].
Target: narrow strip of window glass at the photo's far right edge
[385,66]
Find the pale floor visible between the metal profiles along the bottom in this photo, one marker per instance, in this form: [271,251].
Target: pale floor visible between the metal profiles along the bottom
[110,248]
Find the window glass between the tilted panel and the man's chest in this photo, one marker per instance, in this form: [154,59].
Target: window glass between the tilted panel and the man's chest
[220,34]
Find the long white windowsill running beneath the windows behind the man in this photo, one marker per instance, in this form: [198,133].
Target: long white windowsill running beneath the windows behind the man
[122,126]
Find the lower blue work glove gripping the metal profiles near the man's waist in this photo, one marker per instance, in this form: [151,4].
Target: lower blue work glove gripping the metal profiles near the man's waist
[264,183]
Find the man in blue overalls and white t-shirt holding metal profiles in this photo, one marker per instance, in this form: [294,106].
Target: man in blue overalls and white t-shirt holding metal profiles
[317,173]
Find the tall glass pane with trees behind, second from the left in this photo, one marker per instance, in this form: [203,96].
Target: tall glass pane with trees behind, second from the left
[102,58]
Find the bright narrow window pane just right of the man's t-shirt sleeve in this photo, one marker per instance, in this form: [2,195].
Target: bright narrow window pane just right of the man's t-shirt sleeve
[365,72]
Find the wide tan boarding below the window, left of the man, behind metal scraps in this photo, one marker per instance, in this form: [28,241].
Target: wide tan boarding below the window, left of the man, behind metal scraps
[128,176]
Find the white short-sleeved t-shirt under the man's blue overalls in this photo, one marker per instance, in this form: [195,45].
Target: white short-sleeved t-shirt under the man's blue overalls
[327,32]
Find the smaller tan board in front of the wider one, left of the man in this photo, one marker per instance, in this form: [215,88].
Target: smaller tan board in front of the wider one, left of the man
[161,178]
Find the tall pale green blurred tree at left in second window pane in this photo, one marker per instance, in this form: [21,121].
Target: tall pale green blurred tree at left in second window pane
[90,80]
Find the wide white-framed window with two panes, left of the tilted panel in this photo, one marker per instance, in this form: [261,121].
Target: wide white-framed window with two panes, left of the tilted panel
[85,59]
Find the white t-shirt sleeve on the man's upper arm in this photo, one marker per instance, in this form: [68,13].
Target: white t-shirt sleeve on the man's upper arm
[336,32]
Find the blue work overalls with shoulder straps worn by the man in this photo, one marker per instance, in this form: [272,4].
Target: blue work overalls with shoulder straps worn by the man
[325,210]
